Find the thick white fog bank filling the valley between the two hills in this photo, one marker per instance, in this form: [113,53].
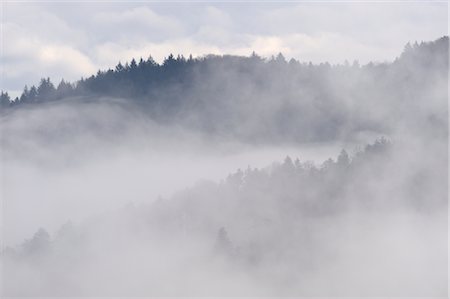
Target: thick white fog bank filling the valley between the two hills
[68,170]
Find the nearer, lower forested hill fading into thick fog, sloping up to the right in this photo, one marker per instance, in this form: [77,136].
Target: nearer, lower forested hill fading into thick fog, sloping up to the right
[278,224]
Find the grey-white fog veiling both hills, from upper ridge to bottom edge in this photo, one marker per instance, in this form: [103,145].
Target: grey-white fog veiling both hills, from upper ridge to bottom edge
[232,185]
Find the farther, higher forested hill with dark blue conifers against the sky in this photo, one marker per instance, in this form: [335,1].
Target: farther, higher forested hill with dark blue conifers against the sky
[251,97]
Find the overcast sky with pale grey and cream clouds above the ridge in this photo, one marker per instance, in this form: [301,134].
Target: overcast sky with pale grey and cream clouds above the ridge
[71,40]
